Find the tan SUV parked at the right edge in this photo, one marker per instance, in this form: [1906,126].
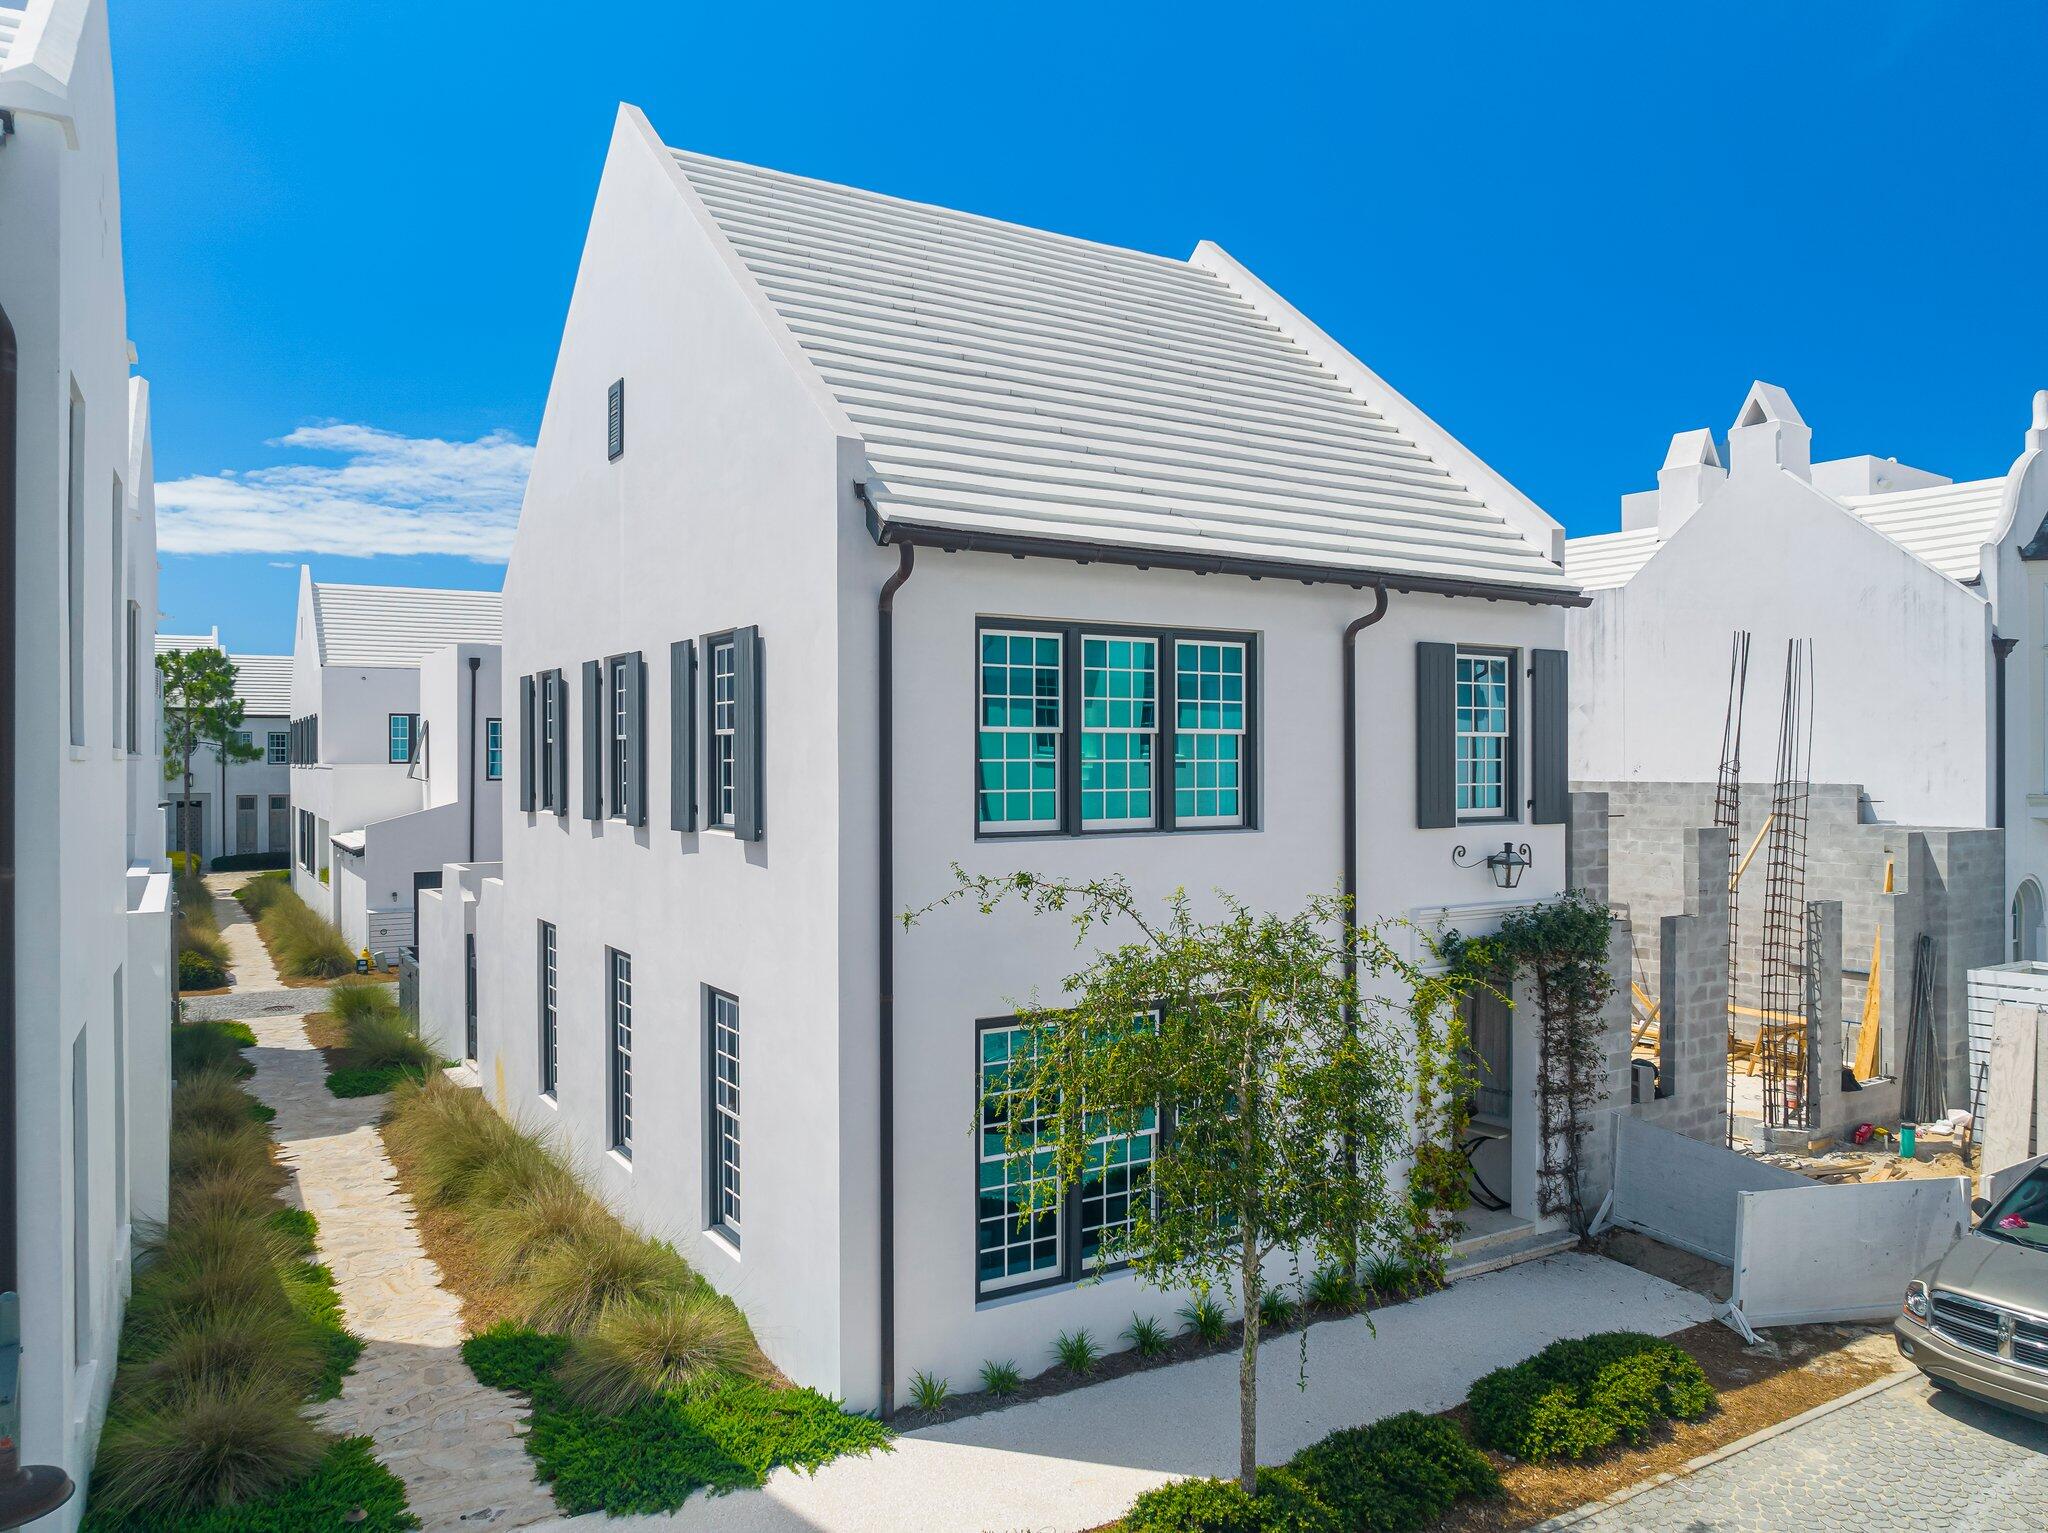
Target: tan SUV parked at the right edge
[1977,1321]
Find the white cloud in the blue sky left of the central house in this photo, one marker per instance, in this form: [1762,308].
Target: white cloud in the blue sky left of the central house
[388,496]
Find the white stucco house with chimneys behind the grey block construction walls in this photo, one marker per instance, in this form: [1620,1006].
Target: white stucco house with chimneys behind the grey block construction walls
[1924,601]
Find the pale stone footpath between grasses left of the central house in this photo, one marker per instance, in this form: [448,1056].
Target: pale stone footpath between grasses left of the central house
[456,1444]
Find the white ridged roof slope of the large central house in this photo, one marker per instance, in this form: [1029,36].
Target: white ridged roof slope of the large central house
[1037,388]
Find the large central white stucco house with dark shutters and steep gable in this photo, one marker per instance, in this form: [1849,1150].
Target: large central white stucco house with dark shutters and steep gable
[1119,521]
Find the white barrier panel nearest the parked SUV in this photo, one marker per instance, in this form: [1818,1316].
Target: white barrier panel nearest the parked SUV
[1818,1254]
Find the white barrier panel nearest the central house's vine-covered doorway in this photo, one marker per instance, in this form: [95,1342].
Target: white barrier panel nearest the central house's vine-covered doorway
[1682,1192]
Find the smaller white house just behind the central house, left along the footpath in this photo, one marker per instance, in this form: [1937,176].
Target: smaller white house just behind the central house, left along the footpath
[396,750]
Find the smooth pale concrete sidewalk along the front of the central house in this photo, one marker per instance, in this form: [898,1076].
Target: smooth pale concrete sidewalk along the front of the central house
[1076,1460]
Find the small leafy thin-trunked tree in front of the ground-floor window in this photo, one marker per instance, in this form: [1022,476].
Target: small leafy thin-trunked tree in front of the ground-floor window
[1277,1071]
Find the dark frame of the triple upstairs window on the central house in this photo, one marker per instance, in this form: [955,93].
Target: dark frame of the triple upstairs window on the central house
[1164,738]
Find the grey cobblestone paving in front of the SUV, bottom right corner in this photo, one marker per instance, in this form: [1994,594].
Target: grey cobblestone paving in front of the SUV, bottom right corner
[1908,1458]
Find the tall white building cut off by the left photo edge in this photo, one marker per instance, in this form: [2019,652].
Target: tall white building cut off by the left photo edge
[85,920]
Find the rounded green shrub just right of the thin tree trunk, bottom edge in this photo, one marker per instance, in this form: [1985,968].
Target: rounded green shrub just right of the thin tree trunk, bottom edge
[1396,1475]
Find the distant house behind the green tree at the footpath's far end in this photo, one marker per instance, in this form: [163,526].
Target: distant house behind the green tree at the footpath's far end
[239,809]
